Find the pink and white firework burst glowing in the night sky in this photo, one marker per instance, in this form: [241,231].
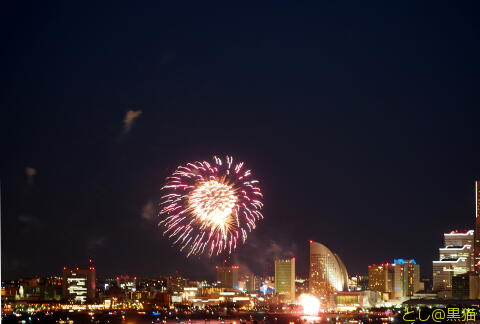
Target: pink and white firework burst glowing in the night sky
[209,207]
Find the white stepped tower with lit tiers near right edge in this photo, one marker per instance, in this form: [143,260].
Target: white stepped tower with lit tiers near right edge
[455,258]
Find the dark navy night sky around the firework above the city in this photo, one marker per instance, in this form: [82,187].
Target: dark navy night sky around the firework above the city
[360,119]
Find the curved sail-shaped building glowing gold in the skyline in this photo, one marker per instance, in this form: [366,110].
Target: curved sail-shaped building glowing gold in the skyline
[327,274]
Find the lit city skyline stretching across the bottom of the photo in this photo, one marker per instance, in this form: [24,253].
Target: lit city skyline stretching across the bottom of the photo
[387,285]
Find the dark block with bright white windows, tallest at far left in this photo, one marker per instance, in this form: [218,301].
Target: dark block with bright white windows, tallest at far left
[79,284]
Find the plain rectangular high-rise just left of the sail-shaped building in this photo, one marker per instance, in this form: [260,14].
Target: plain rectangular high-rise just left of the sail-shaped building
[285,278]
